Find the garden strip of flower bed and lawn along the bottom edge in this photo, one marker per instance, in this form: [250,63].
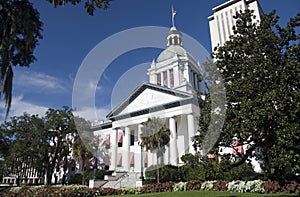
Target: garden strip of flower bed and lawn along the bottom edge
[191,188]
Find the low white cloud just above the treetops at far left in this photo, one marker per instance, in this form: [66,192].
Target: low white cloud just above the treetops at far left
[19,106]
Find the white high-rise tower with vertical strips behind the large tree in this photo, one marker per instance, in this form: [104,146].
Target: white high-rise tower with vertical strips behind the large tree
[222,21]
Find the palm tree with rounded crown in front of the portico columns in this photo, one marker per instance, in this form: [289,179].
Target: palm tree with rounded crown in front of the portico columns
[154,137]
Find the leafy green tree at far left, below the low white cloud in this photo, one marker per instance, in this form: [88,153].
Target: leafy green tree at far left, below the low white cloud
[26,142]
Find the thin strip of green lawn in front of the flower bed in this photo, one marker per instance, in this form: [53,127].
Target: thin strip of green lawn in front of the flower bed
[208,194]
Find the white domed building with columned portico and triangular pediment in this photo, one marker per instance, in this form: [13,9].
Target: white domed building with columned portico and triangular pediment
[171,94]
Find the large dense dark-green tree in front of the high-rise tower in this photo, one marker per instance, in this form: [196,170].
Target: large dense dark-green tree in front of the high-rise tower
[261,70]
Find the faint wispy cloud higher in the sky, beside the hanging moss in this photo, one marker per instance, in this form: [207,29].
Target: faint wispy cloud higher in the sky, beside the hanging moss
[38,81]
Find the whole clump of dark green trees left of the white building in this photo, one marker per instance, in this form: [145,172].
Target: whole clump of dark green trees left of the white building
[38,143]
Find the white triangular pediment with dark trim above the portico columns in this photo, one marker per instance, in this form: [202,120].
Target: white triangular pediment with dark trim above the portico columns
[148,96]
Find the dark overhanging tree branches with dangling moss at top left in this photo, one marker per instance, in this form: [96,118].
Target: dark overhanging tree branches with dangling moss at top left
[20,32]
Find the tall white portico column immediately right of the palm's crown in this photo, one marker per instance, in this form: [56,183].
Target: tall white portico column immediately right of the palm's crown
[173,146]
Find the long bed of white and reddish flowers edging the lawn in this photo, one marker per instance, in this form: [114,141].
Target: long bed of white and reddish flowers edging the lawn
[256,186]
